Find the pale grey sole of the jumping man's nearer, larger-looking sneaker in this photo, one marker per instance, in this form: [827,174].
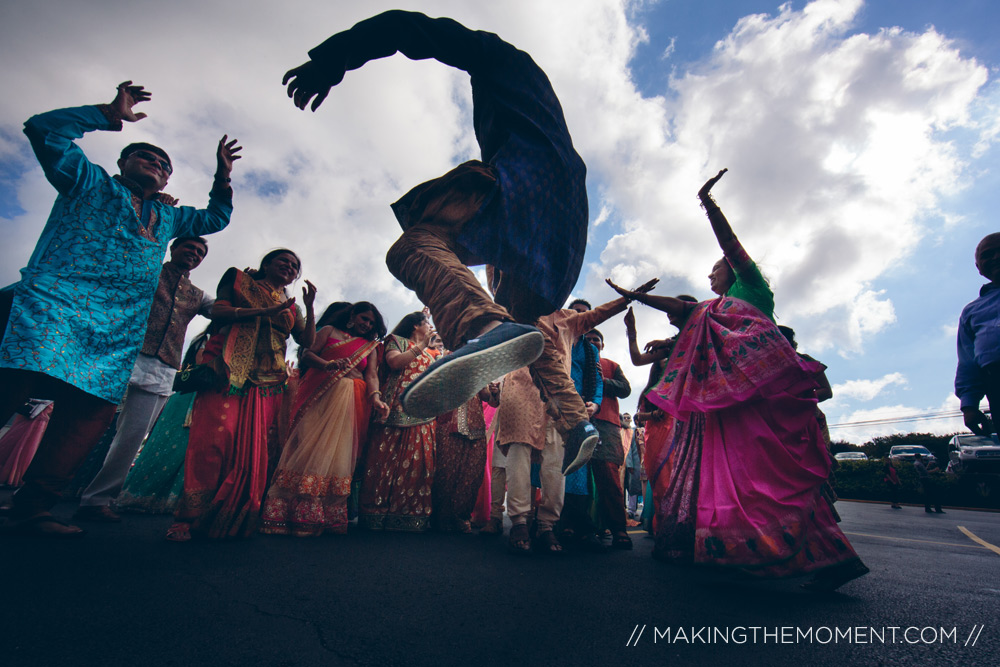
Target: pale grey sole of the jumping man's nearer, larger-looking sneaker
[450,385]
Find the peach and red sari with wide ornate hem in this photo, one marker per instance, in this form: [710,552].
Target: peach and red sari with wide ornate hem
[311,486]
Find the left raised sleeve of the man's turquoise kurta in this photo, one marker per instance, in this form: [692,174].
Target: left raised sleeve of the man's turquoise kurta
[52,135]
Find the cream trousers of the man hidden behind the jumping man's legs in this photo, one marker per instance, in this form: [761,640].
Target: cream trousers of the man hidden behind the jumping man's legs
[519,481]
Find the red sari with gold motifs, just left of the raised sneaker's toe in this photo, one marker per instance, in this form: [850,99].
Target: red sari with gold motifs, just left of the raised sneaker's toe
[399,468]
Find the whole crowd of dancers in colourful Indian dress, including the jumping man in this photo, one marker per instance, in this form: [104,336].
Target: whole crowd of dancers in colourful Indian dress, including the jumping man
[484,402]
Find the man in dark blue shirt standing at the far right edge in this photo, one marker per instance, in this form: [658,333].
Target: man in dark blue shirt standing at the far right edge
[978,371]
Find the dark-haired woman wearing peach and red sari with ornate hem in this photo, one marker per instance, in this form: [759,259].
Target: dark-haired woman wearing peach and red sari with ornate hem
[329,420]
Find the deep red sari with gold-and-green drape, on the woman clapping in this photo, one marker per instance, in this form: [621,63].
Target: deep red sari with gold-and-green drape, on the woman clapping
[225,469]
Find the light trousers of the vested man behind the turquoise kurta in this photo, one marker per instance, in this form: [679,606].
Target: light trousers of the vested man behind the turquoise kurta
[139,411]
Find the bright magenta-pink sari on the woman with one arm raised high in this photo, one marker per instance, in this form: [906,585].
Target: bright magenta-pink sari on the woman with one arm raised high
[746,458]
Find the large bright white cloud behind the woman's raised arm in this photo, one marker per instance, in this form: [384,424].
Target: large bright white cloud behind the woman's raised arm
[837,163]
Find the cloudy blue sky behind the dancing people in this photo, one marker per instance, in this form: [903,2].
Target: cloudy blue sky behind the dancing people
[860,138]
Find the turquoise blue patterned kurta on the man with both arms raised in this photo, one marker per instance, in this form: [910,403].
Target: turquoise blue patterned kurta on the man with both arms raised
[80,308]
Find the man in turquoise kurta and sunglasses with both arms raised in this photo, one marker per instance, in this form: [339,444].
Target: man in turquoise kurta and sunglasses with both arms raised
[74,323]
